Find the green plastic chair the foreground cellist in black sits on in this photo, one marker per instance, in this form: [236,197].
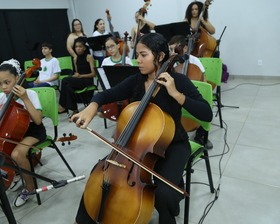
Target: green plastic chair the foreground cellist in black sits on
[197,150]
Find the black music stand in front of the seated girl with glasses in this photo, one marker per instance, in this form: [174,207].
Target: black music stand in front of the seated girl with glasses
[110,76]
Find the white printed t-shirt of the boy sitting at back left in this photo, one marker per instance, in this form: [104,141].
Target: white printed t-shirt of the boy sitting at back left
[49,68]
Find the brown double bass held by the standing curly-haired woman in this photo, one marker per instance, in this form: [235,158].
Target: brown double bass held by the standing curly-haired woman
[205,43]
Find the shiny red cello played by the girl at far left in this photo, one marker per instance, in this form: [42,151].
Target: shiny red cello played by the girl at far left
[14,122]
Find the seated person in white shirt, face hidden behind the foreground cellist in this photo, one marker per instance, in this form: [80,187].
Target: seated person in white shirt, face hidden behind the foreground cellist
[180,40]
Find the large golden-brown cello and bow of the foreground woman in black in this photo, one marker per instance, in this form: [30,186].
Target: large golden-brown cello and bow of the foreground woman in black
[143,133]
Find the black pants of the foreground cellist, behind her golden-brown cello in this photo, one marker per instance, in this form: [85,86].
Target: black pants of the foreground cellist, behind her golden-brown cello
[166,198]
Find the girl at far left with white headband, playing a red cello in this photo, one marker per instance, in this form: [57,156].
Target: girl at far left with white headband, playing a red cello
[9,74]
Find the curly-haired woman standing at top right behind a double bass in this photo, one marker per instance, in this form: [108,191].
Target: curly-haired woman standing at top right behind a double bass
[192,15]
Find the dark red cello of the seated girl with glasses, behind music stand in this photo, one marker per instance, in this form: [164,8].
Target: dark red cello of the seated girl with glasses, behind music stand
[113,110]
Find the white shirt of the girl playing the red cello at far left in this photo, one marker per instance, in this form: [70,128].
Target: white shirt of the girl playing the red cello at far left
[32,95]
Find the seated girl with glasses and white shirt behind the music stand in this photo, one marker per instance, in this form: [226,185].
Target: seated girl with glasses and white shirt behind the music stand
[112,46]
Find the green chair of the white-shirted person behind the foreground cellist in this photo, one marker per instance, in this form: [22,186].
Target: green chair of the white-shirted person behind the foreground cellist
[213,72]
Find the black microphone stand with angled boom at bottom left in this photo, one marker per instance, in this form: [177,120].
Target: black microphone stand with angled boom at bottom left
[3,197]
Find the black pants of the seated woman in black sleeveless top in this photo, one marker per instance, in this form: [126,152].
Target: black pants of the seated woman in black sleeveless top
[67,94]
